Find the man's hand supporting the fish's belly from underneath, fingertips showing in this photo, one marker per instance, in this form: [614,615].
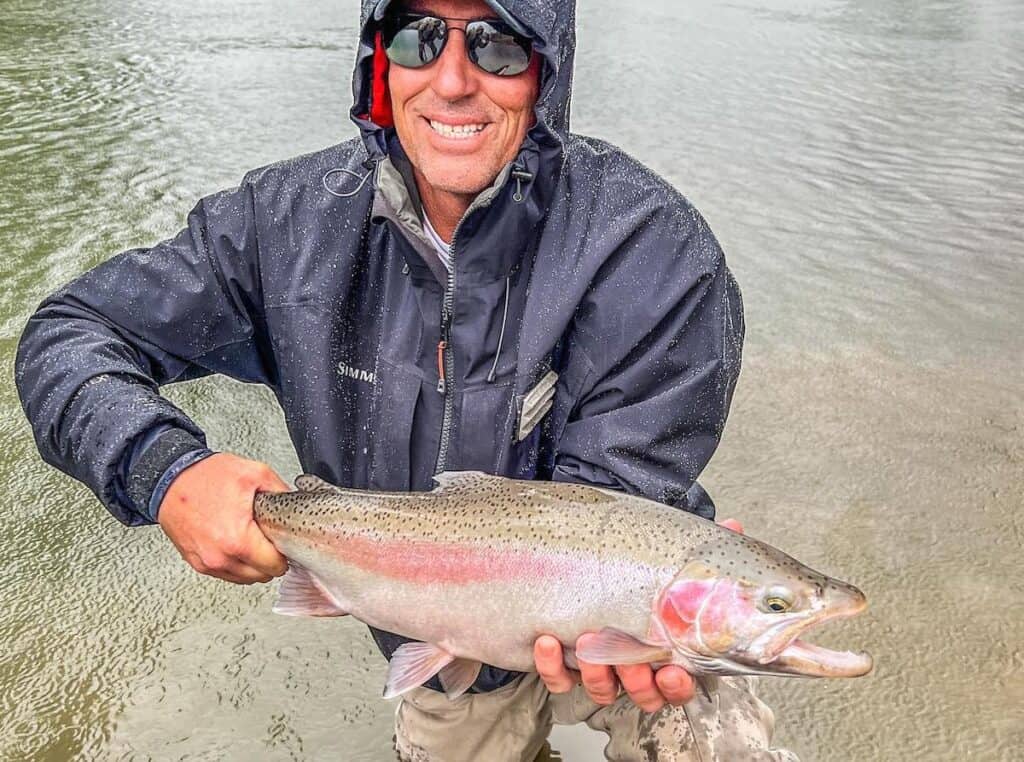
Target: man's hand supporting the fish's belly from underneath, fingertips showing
[649,689]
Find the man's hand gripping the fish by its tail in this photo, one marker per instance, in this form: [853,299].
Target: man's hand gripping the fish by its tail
[208,515]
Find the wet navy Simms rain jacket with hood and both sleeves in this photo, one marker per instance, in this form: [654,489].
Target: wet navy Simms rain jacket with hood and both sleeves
[593,331]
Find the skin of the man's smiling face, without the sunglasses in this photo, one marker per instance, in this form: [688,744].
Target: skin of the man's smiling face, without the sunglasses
[493,113]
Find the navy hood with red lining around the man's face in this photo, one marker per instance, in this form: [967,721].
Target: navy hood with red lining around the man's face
[550,24]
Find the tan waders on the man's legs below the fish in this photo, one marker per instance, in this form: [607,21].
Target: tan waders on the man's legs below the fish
[729,724]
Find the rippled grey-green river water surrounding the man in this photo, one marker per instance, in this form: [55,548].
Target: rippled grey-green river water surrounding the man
[862,162]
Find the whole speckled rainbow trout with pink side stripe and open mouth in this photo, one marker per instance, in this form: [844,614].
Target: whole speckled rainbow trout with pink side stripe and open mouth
[479,568]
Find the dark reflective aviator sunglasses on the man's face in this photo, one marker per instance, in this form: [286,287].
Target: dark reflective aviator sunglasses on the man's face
[414,40]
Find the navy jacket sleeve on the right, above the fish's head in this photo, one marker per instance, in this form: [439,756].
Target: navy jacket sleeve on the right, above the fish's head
[661,338]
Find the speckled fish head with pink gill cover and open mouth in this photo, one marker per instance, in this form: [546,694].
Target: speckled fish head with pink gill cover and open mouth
[739,607]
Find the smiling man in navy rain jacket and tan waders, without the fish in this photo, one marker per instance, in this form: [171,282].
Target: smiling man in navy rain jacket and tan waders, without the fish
[468,286]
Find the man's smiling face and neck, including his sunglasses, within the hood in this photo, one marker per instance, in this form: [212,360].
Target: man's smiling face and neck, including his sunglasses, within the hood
[460,125]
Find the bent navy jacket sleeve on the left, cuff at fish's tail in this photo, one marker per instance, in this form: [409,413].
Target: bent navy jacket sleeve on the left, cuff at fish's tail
[93,358]
